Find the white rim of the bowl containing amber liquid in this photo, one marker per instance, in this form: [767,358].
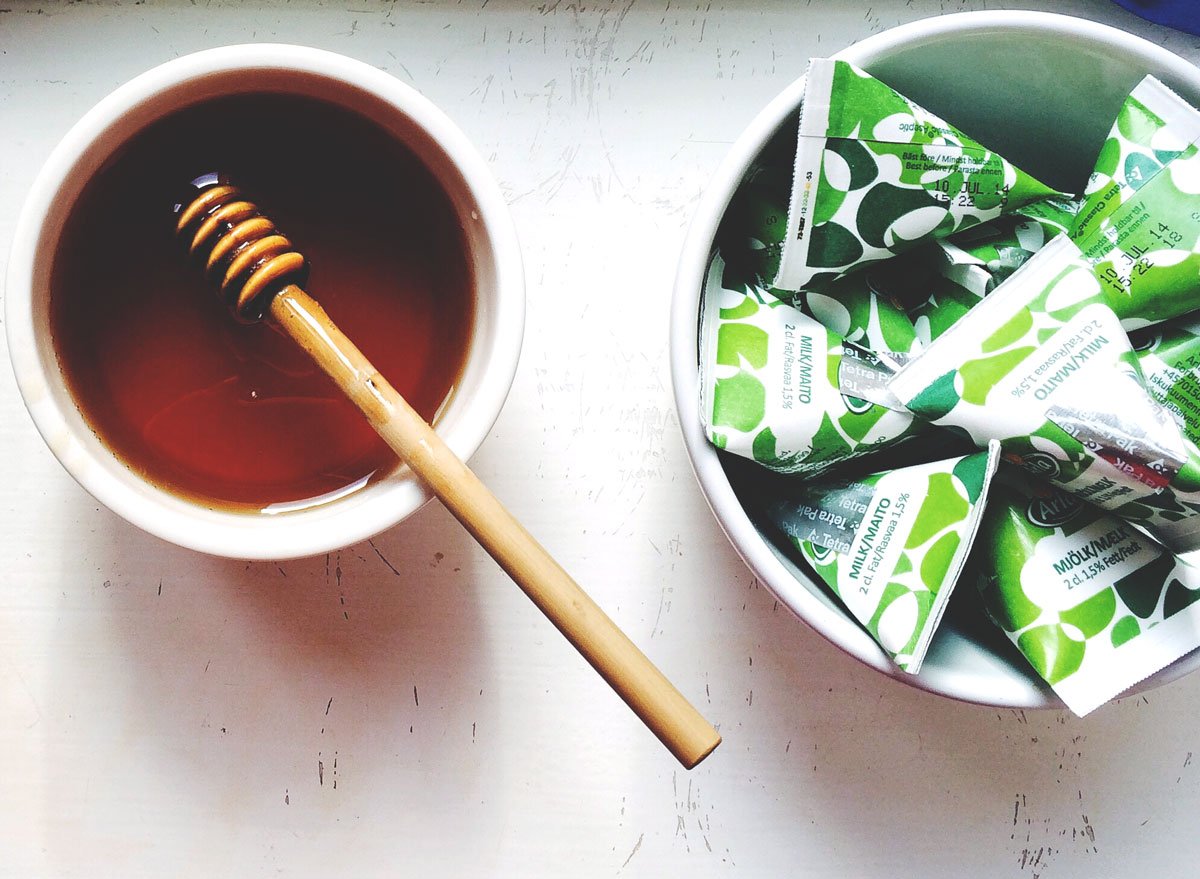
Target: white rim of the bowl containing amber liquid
[339,523]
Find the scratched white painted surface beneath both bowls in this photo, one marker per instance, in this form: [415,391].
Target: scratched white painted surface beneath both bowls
[399,708]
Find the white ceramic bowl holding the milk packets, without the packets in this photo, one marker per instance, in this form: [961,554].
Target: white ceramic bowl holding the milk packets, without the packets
[1042,91]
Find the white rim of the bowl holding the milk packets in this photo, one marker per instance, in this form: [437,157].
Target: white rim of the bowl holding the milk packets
[835,626]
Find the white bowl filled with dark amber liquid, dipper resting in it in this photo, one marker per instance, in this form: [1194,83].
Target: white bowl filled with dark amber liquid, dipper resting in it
[224,438]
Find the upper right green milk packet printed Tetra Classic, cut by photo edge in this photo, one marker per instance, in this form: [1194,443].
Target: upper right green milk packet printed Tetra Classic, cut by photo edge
[1139,226]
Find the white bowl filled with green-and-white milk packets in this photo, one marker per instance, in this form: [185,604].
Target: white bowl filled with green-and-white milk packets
[935,346]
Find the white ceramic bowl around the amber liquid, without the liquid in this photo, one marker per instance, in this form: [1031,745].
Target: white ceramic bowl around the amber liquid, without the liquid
[398,109]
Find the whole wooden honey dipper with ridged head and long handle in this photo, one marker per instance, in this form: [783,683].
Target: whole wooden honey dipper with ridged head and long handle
[260,276]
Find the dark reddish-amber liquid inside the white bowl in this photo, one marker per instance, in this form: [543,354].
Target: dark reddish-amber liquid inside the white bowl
[235,416]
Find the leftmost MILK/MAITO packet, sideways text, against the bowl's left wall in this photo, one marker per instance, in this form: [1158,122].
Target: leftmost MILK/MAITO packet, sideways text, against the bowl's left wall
[779,388]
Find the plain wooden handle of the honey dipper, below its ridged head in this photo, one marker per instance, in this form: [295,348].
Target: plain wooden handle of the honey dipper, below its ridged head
[652,697]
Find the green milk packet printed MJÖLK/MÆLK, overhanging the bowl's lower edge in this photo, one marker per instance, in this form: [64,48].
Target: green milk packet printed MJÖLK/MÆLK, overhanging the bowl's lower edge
[1091,602]
